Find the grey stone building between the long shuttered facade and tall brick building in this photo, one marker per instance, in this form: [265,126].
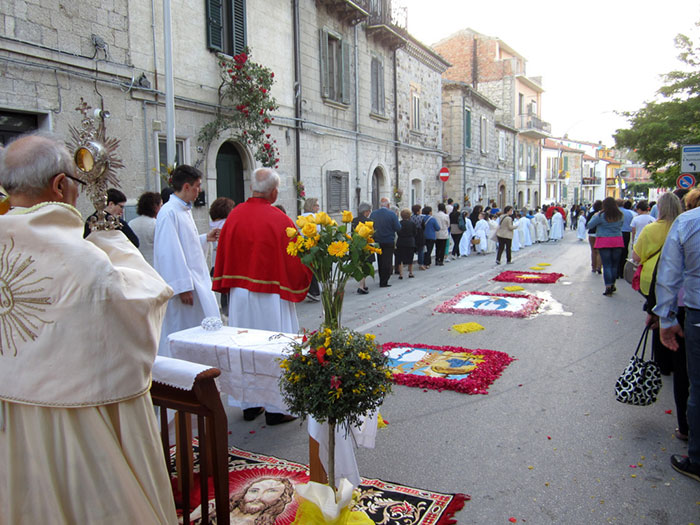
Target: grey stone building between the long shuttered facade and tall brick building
[481,150]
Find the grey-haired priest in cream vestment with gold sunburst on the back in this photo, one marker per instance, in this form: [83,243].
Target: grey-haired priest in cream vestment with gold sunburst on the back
[79,326]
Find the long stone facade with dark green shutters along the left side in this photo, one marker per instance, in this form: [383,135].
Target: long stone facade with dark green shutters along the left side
[359,98]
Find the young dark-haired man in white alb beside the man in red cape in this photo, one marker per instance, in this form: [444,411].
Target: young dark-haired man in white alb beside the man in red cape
[178,256]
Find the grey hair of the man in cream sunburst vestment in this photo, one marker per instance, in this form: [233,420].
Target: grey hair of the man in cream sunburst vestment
[27,167]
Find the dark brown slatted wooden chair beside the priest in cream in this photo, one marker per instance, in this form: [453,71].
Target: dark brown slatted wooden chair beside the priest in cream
[204,401]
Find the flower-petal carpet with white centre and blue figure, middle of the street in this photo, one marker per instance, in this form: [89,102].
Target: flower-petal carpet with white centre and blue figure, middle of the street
[484,303]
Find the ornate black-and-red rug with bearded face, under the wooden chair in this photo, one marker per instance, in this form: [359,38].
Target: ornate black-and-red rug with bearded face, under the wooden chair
[385,503]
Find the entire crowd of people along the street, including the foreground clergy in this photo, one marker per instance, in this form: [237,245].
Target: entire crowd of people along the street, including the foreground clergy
[86,313]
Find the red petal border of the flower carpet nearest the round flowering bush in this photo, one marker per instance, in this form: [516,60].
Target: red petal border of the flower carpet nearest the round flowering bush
[478,381]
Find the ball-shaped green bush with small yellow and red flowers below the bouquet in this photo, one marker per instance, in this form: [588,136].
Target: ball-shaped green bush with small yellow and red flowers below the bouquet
[335,375]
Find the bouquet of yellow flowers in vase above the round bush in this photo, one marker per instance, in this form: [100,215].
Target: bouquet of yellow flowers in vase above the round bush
[334,252]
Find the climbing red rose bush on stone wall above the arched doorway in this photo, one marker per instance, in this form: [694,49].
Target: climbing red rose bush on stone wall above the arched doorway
[245,95]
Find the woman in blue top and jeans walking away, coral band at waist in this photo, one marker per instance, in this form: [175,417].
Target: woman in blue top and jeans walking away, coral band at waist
[608,240]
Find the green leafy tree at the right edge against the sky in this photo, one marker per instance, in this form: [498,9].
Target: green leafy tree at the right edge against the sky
[659,129]
